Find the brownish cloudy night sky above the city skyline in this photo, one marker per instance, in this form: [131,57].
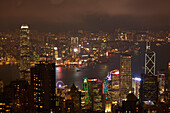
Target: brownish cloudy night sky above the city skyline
[62,15]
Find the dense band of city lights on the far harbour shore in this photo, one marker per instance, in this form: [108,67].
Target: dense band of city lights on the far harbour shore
[67,47]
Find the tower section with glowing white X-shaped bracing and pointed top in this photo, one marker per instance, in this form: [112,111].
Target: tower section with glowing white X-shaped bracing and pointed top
[150,57]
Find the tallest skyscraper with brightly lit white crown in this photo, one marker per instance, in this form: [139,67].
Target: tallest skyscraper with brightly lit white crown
[25,54]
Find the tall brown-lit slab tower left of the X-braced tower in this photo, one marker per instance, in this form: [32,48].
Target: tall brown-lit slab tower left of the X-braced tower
[125,76]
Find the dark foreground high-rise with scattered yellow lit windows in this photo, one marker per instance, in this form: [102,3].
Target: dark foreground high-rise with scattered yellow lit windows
[43,86]
